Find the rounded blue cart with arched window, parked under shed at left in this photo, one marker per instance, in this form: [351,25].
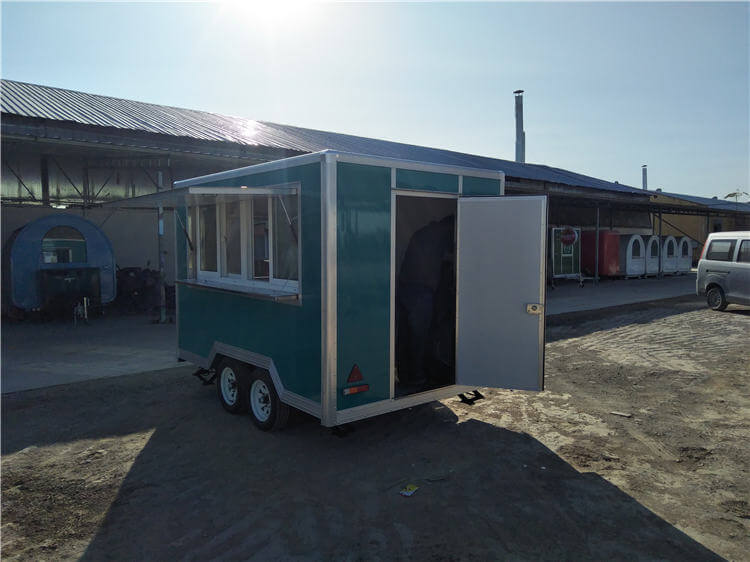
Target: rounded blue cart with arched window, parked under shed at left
[58,260]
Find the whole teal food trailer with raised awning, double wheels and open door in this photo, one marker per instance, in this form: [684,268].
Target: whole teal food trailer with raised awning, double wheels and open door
[348,286]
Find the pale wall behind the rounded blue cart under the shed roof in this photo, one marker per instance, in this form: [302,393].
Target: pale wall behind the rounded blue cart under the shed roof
[133,233]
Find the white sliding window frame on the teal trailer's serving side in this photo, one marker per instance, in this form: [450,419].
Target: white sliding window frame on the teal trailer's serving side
[244,281]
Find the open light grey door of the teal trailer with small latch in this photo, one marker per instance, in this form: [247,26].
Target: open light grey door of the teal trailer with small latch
[501,289]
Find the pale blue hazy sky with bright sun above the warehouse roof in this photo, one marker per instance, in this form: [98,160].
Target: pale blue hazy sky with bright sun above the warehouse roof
[608,86]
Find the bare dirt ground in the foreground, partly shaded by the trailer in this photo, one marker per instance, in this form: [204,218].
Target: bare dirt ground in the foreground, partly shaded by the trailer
[150,467]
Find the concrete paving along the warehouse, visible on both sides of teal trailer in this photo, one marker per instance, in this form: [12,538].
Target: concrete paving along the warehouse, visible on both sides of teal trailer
[36,355]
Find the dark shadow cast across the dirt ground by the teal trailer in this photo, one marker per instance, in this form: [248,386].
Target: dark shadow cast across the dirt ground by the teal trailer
[209,485]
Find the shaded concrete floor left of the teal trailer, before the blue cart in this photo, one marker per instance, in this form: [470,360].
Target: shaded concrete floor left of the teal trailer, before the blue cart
[36,355]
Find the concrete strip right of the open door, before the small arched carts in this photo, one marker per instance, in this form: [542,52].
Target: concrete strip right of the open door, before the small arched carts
[569,297]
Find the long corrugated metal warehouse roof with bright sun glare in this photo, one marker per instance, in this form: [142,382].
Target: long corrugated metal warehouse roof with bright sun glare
[45,102]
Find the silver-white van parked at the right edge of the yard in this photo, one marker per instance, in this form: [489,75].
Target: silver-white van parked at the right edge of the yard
[724,269]
